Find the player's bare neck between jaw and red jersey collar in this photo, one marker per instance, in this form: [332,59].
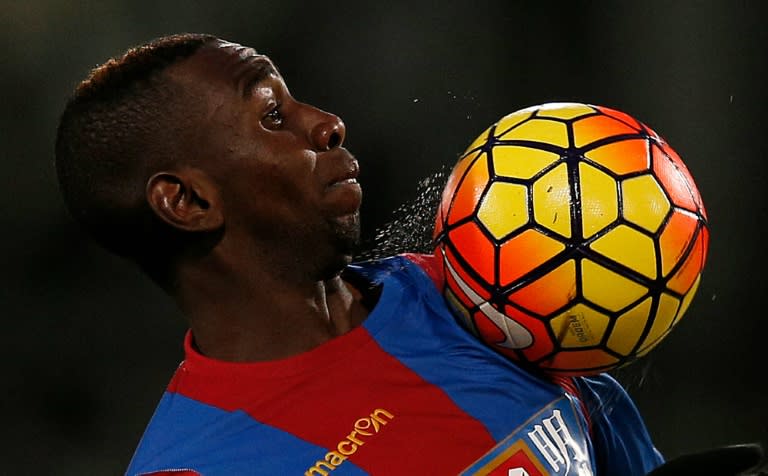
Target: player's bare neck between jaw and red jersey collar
[251,313]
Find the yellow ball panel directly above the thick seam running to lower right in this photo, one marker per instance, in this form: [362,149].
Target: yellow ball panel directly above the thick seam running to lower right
[630,248]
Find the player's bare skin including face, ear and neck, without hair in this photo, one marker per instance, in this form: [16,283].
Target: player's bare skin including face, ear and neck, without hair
[267,174]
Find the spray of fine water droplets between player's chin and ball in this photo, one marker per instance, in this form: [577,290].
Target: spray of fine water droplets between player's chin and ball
[410,229]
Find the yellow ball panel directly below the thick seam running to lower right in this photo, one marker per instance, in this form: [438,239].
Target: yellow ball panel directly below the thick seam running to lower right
[608,289]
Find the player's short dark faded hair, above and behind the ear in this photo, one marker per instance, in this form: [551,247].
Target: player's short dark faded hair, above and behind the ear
[125,121]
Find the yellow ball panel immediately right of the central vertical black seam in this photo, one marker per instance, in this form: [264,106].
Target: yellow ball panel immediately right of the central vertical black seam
[599,200]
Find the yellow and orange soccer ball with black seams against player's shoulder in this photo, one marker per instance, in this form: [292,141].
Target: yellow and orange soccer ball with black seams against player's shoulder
[572,238]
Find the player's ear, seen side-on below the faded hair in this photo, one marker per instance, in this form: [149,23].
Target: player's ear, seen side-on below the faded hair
[186,199]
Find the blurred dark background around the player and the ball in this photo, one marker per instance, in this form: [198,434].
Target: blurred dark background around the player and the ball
[88,344]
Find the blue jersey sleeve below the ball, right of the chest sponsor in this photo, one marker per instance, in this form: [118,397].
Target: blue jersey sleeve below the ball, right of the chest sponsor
[619,437]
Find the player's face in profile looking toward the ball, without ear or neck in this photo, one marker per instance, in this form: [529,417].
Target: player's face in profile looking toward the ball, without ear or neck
[283,175]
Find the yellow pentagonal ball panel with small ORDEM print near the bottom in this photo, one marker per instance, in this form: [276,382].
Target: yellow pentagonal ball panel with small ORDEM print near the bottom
[579,326]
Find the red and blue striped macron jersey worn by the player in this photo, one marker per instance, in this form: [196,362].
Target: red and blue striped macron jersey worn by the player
[407,392]
